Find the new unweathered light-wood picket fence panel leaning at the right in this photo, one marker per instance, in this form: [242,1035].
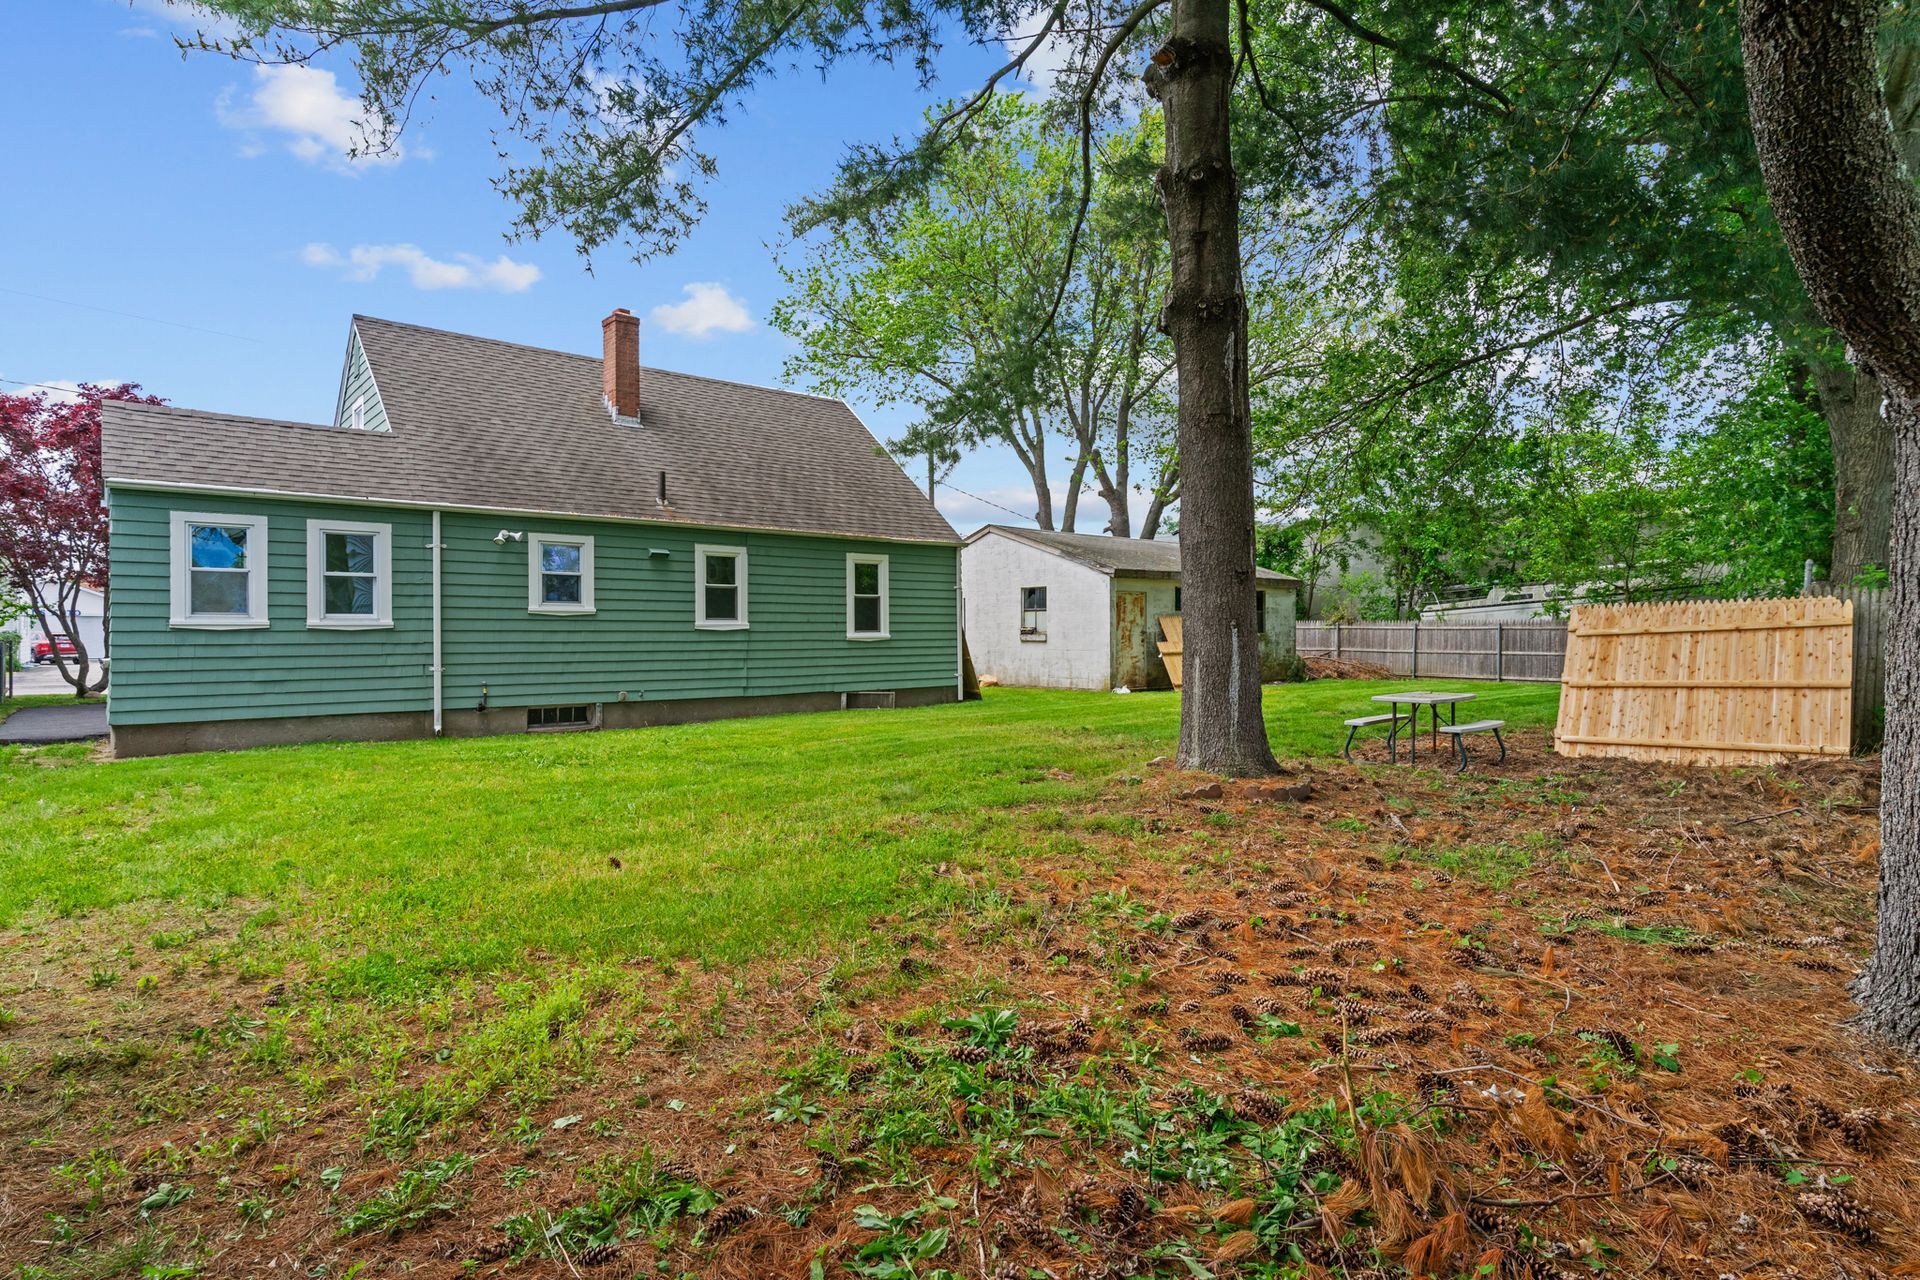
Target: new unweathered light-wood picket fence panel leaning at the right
[1708,682]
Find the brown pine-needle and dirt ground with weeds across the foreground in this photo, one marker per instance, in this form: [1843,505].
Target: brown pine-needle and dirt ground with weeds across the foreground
[1547,1018]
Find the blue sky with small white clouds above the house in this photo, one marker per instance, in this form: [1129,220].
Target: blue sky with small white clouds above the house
[195,225]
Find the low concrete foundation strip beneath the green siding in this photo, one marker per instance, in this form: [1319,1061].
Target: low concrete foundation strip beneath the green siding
[166,740]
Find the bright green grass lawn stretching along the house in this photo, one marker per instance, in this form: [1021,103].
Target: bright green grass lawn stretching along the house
[408,861]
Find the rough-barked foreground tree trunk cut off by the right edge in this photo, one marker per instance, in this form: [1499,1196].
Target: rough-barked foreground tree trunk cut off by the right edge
[1852,220]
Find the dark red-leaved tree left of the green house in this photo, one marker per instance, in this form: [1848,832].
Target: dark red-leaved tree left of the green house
[53,513]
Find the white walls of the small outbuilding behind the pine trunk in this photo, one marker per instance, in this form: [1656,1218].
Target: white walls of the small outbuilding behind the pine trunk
[1082,611]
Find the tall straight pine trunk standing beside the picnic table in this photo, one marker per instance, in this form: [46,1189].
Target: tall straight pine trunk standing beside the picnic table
[1222,724]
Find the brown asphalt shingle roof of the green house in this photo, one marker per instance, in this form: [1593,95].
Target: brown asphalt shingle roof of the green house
[504,427]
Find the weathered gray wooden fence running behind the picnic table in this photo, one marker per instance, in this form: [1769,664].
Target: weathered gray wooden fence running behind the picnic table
[1531,650]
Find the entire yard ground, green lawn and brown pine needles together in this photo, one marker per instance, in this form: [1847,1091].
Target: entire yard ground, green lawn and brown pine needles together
[1556,1018]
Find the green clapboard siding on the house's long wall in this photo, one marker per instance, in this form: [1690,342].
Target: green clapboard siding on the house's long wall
[638,642]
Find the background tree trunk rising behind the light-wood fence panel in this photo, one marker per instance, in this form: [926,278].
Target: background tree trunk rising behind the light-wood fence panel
[1863,467]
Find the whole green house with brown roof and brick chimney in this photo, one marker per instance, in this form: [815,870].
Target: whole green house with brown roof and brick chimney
[492,538]
